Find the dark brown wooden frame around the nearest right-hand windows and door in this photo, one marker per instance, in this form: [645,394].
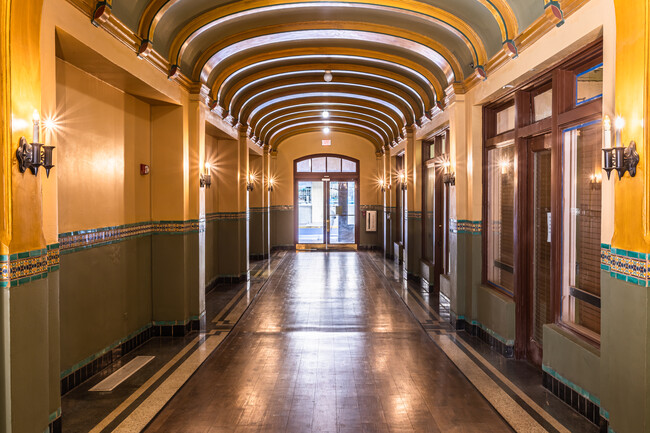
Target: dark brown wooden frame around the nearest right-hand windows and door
[561,77]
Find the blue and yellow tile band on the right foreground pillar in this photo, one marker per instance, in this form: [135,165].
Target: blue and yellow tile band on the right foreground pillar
[625,265]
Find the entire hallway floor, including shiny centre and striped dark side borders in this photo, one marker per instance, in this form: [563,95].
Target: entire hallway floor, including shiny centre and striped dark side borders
[327,342]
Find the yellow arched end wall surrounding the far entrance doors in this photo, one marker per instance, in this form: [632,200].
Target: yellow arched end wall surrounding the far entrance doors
[310,143]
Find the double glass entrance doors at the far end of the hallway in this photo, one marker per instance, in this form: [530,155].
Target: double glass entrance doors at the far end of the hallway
[327,213]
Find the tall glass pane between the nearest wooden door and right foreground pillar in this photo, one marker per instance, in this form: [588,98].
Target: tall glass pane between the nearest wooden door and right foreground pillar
[582,216]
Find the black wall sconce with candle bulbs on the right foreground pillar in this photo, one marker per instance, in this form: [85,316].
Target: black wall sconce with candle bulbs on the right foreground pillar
[618,158]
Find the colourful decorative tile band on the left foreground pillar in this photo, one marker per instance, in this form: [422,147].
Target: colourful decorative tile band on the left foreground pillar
[28,266]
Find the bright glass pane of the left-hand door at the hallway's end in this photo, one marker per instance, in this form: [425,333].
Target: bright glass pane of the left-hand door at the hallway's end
[311,213]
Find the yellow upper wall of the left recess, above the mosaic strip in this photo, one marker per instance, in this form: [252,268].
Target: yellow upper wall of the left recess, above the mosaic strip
[104,136]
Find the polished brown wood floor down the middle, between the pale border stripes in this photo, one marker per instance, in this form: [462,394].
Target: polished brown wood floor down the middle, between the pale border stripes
[327,347]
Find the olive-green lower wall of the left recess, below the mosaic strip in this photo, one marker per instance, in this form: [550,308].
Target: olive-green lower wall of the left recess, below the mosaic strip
[105,294]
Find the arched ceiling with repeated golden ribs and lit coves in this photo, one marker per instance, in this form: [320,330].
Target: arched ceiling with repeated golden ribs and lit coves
[263,60]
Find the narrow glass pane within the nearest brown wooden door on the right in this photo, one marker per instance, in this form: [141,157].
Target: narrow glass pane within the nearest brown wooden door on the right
[541,241]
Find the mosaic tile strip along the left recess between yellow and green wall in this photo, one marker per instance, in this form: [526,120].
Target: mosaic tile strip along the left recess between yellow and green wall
[75,241]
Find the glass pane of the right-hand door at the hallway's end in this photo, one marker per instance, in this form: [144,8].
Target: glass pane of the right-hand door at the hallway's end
[342,213]
